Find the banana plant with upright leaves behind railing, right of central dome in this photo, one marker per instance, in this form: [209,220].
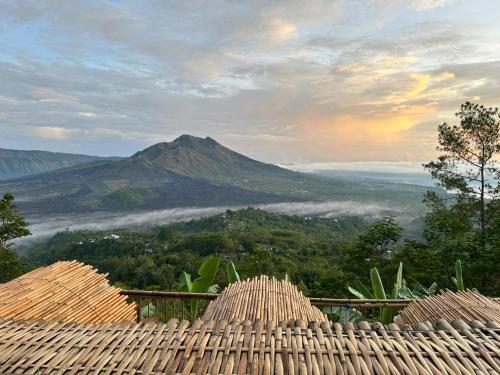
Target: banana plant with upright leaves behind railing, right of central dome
[378,292]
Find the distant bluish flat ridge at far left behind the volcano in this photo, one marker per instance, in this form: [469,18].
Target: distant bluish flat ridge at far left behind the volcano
[18,163]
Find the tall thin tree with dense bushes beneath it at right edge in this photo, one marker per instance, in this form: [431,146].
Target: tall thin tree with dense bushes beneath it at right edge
[466,225]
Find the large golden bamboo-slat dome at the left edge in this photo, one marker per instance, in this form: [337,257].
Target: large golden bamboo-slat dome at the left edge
[65,291]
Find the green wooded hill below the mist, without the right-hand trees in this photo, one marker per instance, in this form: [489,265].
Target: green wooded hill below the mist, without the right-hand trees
[258,241]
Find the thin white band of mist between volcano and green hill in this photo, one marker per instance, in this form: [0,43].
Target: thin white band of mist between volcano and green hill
[48,226]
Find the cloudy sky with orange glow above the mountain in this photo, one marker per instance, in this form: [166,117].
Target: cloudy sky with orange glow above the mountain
[289,82]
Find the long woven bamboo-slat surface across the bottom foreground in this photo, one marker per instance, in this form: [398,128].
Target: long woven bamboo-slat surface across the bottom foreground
[248,348]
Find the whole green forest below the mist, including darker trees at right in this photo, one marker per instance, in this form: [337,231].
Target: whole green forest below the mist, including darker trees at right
[321,256]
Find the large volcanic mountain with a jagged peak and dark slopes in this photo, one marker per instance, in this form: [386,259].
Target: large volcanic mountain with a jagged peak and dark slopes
[191,171]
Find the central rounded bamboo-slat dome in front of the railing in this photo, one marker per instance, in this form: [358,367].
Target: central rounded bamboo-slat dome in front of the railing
[263,298]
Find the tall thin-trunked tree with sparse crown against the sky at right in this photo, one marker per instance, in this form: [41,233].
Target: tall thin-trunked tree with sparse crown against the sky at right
[467,166]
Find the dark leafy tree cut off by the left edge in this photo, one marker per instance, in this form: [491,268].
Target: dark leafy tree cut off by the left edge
[12,225]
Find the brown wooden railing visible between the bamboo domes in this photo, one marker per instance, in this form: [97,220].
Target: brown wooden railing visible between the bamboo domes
[191,306]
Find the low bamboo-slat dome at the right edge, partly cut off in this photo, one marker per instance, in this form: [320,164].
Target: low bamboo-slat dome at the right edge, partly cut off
[448,305]
